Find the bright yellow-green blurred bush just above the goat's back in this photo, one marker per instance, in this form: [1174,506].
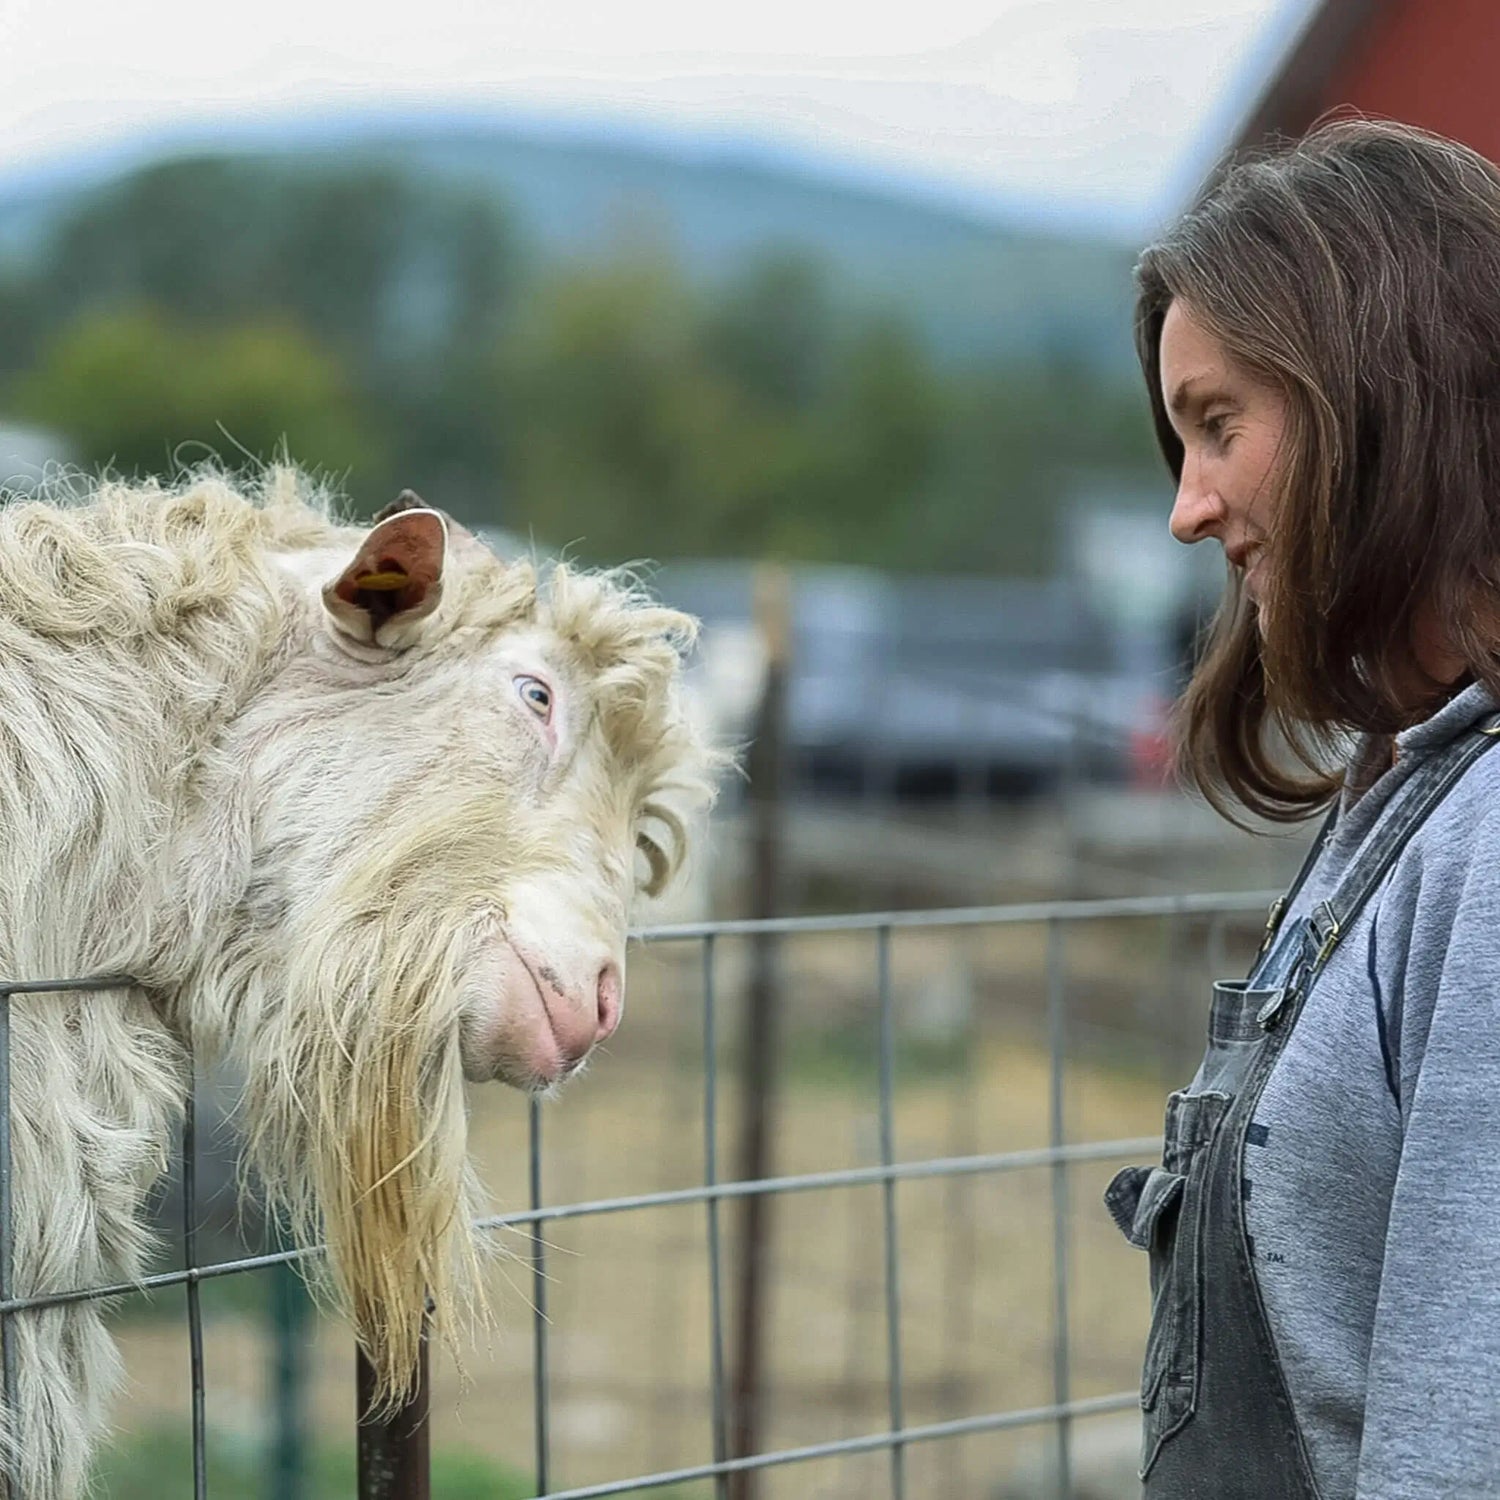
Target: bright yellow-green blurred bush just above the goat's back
[130,389]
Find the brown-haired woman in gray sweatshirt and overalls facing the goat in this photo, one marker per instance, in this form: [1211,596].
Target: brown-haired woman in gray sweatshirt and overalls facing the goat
[1321,338]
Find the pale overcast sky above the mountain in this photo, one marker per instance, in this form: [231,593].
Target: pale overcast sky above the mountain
[1109,107]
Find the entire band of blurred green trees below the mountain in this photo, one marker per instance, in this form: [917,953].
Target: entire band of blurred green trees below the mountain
[388,326]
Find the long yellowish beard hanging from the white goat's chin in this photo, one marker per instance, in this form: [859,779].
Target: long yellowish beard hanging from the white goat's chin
[356,1126]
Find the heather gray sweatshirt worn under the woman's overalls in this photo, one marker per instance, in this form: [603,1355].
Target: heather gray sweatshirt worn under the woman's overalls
[1373,1165]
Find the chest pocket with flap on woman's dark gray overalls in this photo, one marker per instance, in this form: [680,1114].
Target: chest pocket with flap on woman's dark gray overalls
[1160,1210]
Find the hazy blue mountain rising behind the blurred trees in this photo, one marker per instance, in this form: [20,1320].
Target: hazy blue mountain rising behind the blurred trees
[980,286]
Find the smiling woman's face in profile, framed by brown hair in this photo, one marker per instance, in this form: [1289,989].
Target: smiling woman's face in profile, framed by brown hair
[1231,425]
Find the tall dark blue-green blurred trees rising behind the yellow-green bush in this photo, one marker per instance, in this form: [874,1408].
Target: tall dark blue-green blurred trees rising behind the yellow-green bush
[380,265]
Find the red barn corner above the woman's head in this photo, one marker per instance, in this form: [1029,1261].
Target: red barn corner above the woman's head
[1426,62]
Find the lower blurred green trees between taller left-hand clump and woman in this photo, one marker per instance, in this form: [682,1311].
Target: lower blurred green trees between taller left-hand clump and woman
[644,418]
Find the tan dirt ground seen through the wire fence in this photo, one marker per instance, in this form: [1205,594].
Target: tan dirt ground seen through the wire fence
[629,1294]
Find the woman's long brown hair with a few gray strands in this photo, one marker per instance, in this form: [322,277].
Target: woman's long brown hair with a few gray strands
[1360,272]
